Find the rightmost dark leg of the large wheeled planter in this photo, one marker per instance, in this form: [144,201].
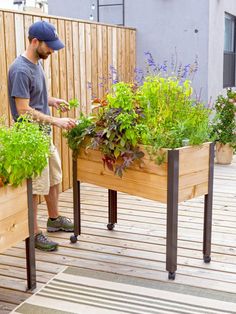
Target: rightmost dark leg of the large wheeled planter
[208,200]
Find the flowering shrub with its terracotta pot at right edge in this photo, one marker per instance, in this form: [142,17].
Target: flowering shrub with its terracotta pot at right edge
[224,127]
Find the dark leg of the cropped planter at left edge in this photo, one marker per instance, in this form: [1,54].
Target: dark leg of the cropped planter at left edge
[29,242]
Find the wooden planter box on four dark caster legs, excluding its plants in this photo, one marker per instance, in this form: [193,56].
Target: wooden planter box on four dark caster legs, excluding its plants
[187,173]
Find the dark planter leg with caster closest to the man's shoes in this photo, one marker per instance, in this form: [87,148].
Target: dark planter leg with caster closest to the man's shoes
[76,204]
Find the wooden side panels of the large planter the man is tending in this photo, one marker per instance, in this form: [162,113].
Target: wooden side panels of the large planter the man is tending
[150,180]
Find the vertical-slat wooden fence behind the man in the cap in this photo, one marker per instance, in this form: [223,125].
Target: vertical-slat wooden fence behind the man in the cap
[84,69]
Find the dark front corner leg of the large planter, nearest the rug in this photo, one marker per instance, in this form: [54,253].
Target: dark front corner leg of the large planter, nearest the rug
[172,212]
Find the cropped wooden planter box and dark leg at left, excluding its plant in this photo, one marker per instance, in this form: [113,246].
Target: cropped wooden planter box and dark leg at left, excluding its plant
[16,223]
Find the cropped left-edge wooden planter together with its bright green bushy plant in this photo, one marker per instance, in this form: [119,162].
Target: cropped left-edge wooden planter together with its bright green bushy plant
[24,149]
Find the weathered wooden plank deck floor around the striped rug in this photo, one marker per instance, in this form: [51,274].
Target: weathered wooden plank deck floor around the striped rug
[136,247]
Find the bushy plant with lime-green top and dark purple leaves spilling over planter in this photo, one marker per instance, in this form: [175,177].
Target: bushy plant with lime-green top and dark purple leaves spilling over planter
[116,132]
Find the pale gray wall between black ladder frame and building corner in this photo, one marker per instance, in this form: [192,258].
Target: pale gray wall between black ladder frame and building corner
[172,28]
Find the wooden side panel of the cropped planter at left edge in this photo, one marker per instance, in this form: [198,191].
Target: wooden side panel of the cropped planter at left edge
[13,215]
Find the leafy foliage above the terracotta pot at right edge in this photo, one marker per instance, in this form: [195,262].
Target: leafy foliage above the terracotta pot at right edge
[224,122]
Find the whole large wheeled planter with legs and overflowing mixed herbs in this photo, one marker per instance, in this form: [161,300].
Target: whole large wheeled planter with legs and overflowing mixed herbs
[136,143]
